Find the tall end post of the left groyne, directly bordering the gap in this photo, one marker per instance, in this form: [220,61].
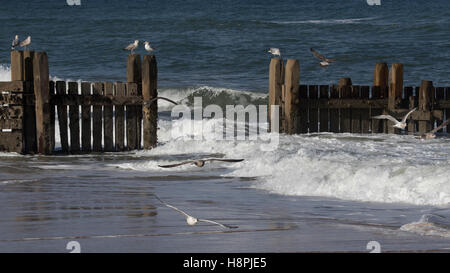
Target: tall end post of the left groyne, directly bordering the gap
[149,91]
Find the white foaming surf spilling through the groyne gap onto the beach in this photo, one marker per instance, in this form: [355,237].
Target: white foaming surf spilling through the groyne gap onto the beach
[379,168]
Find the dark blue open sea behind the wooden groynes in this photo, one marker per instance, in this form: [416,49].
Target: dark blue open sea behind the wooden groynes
[223,43]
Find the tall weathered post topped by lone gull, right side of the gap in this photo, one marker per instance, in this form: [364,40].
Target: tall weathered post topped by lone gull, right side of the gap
[276,81]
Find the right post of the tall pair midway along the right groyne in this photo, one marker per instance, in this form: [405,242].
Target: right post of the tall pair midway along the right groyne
[395,93]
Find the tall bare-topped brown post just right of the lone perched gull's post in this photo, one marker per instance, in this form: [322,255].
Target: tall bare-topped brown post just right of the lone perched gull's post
[291,81]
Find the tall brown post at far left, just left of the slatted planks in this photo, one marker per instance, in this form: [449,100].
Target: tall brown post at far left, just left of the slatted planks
[42,100]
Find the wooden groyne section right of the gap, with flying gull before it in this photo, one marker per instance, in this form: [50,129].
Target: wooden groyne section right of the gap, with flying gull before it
[348,108]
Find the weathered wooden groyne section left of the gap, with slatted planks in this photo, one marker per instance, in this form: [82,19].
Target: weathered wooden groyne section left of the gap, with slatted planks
[110,114]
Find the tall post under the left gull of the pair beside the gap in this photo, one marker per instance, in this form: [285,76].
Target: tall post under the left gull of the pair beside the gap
[134,79]
